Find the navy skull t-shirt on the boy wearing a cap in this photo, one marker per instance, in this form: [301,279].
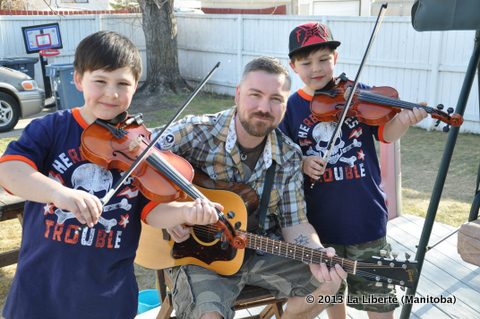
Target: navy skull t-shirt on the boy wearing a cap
[347,205]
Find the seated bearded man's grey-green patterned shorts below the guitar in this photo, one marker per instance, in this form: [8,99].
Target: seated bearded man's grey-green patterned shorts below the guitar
[198,290]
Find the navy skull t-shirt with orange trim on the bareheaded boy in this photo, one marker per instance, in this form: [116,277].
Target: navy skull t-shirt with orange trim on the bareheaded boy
[63,272]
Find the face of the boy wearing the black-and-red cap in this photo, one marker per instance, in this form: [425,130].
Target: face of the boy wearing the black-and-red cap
[316,70]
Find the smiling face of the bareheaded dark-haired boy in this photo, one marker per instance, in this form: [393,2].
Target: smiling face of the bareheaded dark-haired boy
[106,93]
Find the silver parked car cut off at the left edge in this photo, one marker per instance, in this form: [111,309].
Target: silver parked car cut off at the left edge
[20,97]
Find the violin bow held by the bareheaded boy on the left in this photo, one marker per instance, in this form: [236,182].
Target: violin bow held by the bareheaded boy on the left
[154,141]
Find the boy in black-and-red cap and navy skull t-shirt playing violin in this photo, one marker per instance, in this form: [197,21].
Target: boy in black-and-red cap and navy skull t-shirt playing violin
[346,204]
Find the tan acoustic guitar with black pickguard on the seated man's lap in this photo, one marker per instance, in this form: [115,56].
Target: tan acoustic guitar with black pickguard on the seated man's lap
[207,248]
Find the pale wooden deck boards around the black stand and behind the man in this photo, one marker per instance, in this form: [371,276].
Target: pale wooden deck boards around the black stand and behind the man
[444,274]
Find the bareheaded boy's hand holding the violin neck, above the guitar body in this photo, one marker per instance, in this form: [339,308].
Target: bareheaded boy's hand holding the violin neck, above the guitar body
[201,212]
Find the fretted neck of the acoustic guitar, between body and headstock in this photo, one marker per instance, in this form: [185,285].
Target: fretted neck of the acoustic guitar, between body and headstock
[297,252]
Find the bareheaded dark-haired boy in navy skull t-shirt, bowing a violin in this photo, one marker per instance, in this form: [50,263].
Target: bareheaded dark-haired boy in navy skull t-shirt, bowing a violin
[66,270]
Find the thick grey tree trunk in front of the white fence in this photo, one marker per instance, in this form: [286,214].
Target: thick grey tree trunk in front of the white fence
[160,29]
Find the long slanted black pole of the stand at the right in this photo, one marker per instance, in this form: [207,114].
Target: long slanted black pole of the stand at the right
[442,172]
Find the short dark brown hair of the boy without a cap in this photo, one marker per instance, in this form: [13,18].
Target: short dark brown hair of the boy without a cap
[107,50]
